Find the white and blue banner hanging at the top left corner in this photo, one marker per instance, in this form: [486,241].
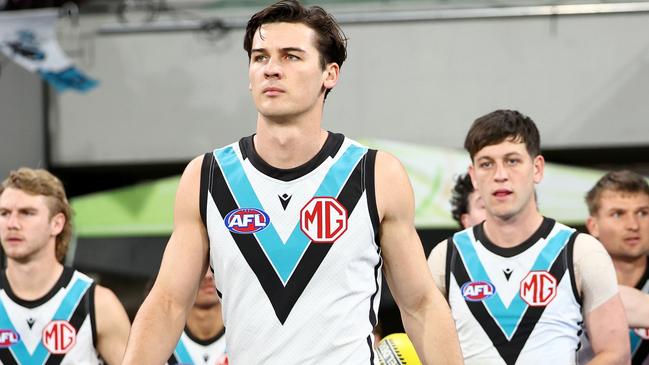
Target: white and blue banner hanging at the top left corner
[28,38]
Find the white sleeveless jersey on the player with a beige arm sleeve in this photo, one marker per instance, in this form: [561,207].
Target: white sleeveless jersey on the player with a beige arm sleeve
[517,305]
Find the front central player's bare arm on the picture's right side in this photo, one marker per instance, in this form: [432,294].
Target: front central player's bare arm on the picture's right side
[425,314]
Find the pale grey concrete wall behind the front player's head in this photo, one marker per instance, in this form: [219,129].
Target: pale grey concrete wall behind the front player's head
[171,96]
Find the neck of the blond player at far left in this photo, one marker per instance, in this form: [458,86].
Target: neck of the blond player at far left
[32,280]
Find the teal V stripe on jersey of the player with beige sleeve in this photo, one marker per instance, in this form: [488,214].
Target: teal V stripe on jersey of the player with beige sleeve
[507,317]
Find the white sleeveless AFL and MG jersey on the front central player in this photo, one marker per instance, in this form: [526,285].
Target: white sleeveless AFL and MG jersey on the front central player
[295,253]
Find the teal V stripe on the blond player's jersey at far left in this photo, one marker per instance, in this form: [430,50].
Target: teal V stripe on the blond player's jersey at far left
[64,312]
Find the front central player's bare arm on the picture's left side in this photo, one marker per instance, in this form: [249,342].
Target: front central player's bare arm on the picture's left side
[161,318]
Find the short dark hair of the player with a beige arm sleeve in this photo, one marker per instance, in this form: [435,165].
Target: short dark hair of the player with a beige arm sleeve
[501,125]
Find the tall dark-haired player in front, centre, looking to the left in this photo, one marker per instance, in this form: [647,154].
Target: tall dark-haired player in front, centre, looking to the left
[299,223]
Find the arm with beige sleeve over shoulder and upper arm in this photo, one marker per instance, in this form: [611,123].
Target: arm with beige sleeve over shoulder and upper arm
[602,307]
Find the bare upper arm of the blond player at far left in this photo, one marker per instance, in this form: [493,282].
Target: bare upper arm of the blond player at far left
[112,325]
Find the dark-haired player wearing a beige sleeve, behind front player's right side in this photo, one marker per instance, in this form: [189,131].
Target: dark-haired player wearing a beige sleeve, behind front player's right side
[520,285]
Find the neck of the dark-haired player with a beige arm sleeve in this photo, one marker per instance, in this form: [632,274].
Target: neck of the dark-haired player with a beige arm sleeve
[515,230]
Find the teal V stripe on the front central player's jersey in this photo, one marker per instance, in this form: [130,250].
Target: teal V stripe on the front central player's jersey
[283,256]
